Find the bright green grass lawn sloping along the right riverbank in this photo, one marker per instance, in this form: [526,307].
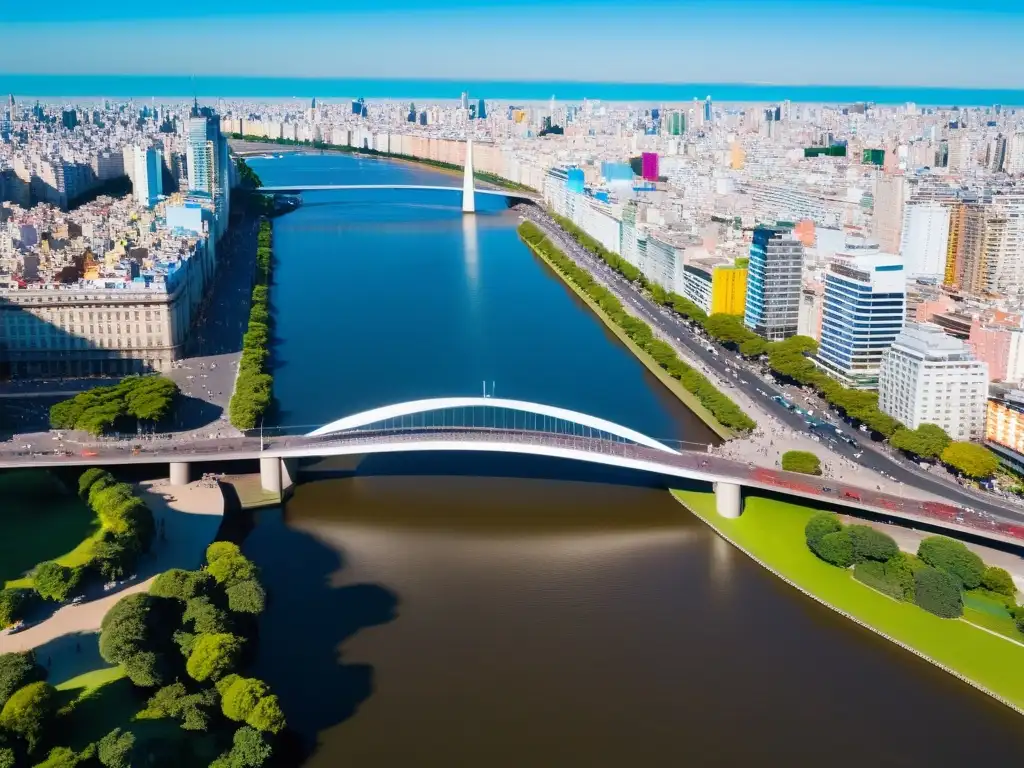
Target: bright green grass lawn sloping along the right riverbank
[774,532]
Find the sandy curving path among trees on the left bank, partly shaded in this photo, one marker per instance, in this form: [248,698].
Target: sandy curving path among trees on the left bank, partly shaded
[192,515]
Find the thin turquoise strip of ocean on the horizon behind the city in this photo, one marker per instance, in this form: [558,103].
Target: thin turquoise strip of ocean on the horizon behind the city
[142,87]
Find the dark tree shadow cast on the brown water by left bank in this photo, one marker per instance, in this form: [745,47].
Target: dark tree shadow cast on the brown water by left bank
[309,619]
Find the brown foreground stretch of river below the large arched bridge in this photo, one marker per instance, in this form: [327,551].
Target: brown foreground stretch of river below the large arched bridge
[482,622]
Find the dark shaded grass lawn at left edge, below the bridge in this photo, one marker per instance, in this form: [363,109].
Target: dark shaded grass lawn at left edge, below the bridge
[39,522]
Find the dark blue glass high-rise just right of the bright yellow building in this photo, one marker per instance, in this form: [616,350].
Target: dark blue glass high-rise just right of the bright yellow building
[774,283]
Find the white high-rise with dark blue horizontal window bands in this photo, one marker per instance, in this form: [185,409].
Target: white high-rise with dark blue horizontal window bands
[864,311]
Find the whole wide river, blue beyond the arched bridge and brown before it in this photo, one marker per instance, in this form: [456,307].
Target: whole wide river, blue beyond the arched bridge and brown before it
[472,611]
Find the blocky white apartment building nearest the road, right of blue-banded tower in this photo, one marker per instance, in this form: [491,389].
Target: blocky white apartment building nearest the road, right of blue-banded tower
[928,377]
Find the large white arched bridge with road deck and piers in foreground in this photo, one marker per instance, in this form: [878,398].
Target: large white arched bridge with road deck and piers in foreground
[497,425]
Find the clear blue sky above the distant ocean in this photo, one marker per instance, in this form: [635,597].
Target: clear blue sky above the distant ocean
[941,44]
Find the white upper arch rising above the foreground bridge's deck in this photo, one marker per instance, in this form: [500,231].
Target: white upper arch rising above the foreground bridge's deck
[415,408]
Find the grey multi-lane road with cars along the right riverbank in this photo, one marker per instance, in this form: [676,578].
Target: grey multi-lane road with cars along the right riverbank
[750,379]
